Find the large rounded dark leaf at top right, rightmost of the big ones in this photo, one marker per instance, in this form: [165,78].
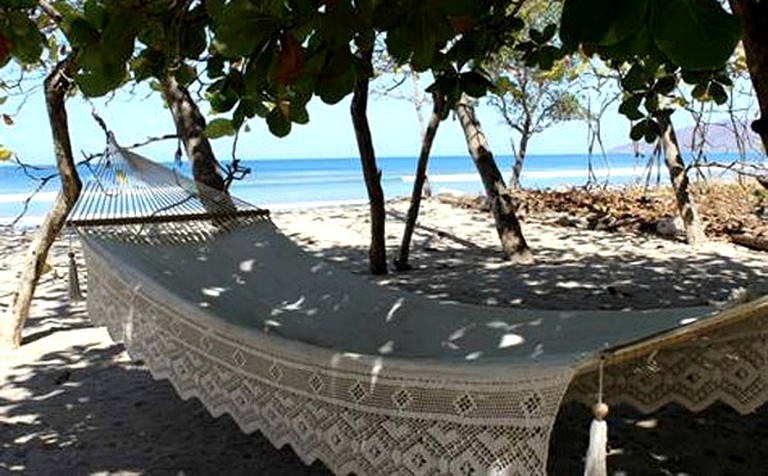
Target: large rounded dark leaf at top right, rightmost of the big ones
[695,34]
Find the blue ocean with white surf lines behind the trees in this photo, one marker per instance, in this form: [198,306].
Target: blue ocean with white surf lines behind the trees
[297,183]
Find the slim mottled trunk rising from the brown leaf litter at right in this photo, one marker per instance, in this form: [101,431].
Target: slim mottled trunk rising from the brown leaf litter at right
[694,230]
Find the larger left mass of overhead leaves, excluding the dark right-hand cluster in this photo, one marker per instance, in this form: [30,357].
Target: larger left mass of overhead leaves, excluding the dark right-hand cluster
[263,58]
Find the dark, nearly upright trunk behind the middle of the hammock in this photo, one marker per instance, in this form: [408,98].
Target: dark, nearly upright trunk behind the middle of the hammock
[377,253]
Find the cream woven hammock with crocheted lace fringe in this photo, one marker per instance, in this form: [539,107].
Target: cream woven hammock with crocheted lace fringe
[369,380]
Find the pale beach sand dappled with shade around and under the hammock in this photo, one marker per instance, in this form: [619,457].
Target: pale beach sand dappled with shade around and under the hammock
[72,402]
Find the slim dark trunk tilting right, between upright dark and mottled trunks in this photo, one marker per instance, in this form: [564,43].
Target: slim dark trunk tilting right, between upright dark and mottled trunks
[438,104]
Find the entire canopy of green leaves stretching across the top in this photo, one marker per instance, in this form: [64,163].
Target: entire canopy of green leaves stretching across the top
[269,58]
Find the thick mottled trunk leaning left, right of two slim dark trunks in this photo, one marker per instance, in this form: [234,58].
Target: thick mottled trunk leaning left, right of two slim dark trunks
[502,205]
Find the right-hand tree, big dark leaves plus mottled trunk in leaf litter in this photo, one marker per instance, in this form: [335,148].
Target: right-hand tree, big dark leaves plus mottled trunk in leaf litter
[657,44]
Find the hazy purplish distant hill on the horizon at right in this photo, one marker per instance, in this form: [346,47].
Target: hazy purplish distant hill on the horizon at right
[719,139]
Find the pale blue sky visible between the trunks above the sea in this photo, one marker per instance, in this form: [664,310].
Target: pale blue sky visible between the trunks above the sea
[394,125]
